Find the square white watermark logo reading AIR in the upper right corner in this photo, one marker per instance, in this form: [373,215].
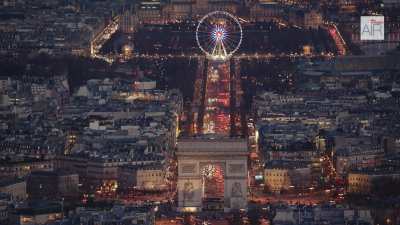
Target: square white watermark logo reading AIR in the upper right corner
[372,28]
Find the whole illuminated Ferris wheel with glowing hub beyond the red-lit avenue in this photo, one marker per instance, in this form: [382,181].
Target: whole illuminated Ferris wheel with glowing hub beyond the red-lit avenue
[219,35]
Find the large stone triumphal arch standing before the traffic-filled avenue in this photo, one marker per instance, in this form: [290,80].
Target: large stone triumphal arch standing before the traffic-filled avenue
[194,154]
